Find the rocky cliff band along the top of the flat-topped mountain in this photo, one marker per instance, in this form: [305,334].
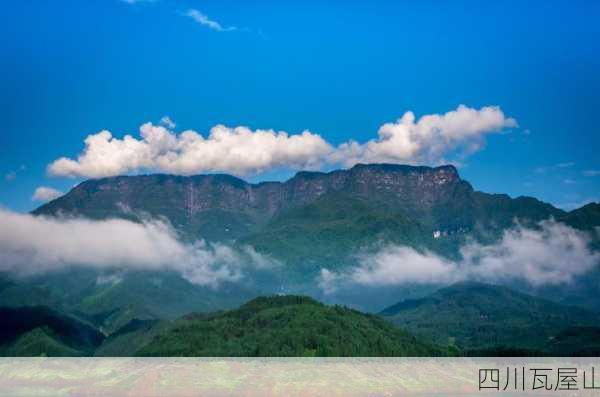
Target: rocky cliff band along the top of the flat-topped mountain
[186,198]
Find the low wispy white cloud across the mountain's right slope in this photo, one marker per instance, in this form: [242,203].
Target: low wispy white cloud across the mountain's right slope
[554,254]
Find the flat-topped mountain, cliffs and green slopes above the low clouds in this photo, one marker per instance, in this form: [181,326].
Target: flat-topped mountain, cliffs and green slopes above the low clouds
[314,217]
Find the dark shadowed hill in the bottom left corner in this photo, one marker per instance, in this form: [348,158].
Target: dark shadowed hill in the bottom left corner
[38,330]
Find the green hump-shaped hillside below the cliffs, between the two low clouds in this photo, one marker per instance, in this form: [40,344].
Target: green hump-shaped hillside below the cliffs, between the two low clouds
[332,226]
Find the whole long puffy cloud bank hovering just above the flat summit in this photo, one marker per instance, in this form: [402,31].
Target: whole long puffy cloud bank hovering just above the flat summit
[243,151]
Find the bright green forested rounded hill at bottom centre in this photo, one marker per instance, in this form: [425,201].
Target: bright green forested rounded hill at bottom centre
[286,326]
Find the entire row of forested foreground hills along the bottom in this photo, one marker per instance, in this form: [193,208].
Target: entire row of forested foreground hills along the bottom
[464,319]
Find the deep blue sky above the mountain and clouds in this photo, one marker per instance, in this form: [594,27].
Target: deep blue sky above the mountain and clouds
[340,70]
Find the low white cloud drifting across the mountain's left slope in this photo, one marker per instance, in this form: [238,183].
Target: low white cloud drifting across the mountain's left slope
[32,245]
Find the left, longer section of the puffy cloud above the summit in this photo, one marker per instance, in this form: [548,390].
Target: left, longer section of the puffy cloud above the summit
[237,150]
